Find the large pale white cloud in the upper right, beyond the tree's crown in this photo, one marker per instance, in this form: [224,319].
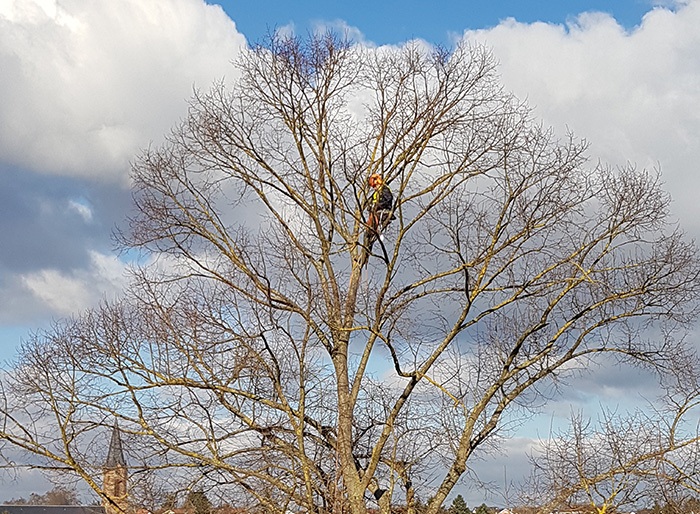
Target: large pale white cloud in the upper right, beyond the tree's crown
[632,94]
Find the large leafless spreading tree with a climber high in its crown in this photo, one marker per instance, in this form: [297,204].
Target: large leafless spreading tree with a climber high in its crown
[276,349]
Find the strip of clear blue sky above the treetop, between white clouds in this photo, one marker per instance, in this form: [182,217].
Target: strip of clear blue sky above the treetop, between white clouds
[392,22]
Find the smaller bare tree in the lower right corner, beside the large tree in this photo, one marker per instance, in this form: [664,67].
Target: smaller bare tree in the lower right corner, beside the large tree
[625,461]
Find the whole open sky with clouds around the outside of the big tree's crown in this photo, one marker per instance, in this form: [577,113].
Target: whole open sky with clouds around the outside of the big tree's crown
[87,83]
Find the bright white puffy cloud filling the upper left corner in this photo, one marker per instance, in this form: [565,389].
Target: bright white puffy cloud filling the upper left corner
[86,83]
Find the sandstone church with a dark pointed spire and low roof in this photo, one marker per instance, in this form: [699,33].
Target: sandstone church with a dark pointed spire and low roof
[114,486]
